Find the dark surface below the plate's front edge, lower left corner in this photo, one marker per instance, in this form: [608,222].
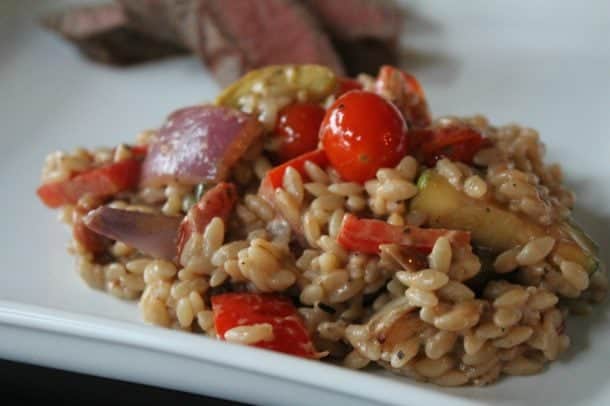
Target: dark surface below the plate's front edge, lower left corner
[25,384]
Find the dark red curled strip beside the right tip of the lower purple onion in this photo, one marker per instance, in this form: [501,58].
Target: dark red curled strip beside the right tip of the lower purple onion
[216,202]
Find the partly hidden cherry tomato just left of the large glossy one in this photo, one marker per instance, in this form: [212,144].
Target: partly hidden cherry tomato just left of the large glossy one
[298,126]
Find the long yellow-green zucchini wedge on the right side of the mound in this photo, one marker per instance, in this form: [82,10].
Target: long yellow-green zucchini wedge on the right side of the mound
[492,227]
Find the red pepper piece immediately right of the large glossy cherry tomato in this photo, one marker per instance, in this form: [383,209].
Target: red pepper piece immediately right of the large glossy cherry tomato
[457,142]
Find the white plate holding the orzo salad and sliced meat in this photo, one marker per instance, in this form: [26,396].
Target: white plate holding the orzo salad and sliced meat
[545,64]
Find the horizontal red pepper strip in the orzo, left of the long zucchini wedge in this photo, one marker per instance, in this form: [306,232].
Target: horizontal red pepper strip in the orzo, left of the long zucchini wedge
[365,235]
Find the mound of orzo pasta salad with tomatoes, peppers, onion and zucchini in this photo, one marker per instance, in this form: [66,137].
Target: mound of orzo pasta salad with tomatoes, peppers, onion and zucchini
[334,218]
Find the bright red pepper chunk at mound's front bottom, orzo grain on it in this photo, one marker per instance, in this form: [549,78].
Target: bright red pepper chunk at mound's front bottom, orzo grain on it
[244,309]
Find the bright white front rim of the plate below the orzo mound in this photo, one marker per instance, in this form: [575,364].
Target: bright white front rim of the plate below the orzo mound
[337,379]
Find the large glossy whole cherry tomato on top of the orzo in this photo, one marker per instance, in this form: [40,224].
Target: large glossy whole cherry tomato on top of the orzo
[361,133]
